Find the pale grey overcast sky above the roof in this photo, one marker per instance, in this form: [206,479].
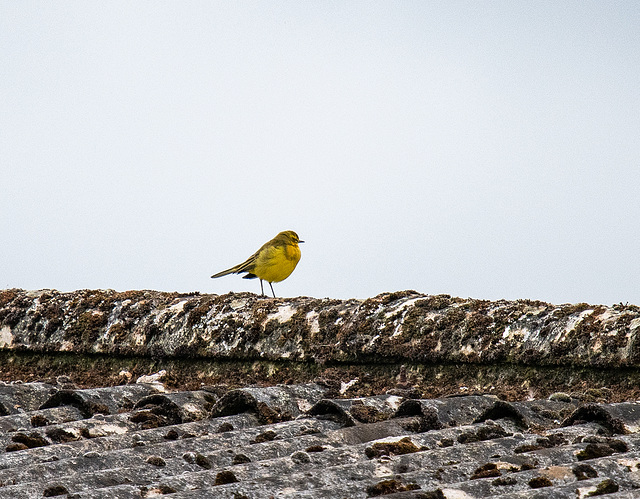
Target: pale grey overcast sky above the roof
[484,149]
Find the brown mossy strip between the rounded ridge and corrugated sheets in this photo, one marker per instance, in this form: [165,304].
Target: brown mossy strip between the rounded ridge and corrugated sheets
[507,381]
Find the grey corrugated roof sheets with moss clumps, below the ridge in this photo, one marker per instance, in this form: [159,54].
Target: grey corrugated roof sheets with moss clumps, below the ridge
[290,441]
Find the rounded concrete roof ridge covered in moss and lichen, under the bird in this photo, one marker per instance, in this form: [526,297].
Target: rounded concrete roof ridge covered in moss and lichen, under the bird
[402,327]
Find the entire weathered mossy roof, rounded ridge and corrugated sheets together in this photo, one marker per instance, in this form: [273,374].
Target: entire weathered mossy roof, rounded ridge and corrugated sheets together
[400,395]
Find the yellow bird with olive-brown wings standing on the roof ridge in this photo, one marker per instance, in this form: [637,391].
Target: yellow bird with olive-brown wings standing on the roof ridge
[273,262]
